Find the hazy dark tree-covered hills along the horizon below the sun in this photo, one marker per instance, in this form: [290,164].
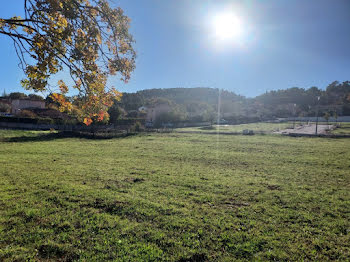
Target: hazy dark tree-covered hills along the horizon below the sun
[201,104]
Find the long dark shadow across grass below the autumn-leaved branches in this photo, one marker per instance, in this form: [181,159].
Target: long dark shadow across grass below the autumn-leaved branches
[65,134]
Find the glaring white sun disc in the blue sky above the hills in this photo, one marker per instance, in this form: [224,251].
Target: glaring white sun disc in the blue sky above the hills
[227,27]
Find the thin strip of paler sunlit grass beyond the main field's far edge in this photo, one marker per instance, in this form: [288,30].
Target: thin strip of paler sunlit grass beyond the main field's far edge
[260,127]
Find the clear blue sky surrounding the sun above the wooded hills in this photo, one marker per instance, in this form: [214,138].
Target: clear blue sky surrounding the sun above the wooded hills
[285,43]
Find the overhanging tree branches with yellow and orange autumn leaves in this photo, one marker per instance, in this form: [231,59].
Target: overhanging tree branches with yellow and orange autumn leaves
[88,39]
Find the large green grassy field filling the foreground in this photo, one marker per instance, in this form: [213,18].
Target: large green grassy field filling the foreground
[174,197]
